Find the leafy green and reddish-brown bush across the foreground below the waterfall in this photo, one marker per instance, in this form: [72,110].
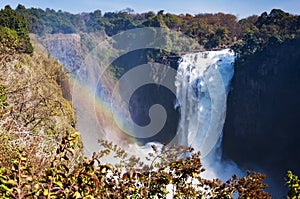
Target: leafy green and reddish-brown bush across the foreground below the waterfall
[170,171]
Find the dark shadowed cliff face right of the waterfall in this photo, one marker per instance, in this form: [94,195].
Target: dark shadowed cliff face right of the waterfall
[261,131]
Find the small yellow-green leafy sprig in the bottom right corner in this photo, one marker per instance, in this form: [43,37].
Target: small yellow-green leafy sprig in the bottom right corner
[292,183]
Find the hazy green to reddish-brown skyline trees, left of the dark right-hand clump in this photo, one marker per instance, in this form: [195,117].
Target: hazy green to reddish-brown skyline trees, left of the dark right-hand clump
[201,27]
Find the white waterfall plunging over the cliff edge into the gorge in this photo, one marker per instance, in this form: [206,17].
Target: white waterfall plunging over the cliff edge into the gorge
[202,84]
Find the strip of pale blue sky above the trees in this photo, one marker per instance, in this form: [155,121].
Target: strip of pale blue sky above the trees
[241,8]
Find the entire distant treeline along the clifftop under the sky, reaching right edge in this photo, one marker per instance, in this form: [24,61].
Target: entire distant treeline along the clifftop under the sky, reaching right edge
[245,36]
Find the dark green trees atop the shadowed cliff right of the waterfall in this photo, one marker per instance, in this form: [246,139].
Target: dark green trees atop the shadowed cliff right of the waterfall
[258,32]
